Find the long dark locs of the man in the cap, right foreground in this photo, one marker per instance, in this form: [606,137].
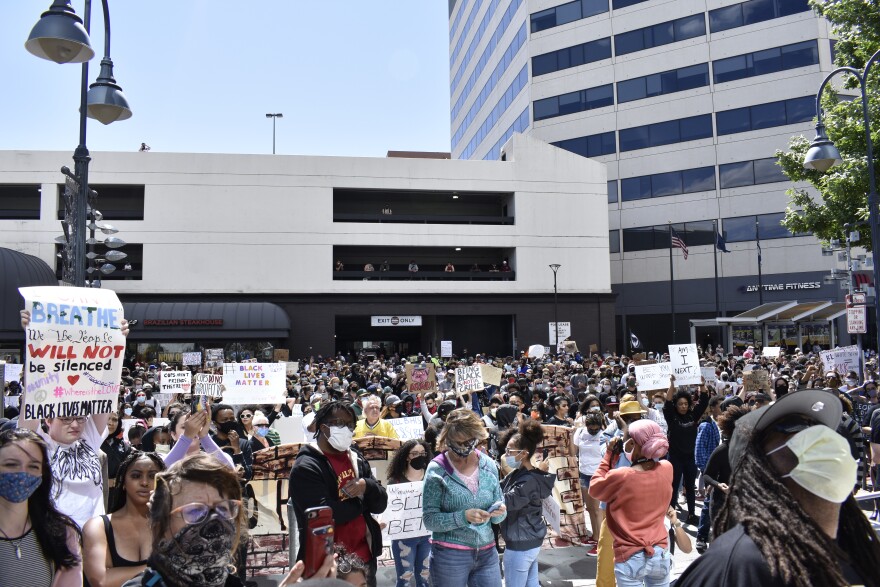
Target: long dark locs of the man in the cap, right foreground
[797,550]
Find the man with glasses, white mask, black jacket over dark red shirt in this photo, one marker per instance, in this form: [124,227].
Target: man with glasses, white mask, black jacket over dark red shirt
[331,473]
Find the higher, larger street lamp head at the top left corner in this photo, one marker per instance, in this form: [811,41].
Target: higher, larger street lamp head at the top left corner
[60,36]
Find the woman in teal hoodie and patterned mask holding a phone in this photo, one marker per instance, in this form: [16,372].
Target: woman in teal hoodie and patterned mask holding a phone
[461,497]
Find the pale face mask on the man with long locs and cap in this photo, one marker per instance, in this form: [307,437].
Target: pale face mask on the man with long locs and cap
[825,465]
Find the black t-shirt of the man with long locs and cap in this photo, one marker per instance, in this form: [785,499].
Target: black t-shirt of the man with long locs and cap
[734,560]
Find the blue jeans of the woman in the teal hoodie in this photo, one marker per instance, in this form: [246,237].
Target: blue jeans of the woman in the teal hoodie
[451,567]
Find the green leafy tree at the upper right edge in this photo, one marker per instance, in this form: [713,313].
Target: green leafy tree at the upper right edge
[844,188]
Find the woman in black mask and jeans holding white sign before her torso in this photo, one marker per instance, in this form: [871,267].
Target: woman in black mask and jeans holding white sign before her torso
[411,556]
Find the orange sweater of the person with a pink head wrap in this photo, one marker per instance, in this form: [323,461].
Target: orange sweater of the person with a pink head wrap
[636,505]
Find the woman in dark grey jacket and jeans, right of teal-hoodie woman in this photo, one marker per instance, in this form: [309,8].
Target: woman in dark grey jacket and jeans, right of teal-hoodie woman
[524,490]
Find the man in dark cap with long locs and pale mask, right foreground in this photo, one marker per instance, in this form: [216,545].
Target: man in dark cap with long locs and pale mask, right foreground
[790,517]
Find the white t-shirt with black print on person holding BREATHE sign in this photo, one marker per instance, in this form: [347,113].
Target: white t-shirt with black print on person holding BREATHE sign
[76,470]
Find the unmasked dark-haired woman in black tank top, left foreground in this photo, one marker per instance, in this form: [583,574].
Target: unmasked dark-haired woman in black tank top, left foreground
[116,546]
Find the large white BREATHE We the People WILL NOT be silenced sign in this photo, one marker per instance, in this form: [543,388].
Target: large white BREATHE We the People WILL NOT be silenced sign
[74,351]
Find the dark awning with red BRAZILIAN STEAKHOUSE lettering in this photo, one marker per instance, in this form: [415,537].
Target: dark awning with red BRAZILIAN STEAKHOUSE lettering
[206,321]
